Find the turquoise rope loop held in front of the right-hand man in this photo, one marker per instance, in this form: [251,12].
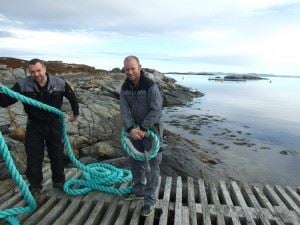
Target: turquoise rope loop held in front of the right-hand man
[154,149]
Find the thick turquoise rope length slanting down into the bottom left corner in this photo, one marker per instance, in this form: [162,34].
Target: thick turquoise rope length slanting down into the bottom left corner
[10,214]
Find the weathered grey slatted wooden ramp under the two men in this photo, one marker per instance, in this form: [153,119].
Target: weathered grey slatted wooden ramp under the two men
[181,201]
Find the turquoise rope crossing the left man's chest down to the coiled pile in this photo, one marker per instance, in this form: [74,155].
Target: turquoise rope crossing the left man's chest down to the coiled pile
[93,174]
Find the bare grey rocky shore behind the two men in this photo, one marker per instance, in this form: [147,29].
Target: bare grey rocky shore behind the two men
[96,134]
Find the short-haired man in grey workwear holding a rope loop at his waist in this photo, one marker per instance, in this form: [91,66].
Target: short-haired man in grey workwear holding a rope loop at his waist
[141,109]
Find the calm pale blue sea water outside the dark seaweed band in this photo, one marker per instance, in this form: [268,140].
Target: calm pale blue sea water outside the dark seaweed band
[271,109]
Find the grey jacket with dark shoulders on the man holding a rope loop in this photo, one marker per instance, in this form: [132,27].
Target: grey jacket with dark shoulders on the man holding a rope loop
[141,106]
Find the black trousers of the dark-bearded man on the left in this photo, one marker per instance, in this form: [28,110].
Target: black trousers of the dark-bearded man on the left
[38,135]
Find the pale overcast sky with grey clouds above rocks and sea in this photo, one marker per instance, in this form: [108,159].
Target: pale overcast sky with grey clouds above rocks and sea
[261,36]
